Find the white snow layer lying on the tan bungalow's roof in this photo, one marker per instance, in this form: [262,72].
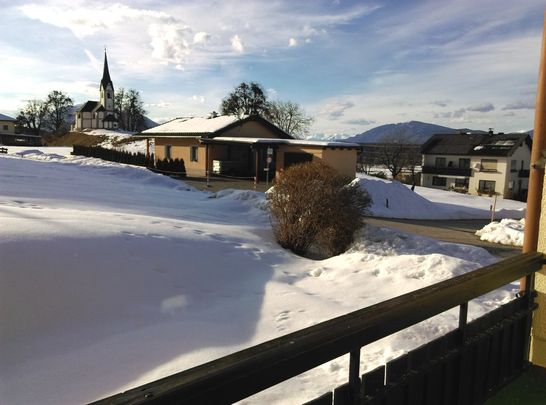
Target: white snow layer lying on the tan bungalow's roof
[193,125]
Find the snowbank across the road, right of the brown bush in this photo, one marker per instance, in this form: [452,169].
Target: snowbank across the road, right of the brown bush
[429,203]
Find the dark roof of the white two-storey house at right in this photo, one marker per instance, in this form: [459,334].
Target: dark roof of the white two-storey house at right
[475,144]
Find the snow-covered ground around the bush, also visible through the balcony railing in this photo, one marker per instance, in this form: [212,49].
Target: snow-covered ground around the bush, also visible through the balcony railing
[112,276]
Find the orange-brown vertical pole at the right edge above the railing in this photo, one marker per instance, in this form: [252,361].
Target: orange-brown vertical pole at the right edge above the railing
[536,176]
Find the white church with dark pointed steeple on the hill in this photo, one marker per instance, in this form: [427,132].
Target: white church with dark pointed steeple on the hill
[99,114]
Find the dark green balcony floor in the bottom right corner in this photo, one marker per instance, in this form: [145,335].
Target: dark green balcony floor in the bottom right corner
[528,389]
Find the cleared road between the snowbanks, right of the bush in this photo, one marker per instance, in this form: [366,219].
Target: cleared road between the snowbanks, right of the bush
[456,231]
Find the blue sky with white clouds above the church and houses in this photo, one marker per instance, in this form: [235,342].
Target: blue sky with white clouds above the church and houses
[352,65]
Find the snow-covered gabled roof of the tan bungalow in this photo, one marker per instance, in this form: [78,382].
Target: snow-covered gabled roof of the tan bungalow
[207,127]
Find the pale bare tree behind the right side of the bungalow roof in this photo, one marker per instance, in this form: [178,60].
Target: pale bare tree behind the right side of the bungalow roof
[289,117]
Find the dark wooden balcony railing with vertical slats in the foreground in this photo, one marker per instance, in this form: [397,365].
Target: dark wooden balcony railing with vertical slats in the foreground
[462,367]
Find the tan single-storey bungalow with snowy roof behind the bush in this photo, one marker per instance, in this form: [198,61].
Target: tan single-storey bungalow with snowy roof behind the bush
[251,148]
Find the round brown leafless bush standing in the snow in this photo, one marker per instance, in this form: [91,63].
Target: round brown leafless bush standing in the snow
[314,207]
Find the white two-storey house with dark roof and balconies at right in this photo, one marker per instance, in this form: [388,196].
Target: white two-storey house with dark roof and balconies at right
[478,163]
